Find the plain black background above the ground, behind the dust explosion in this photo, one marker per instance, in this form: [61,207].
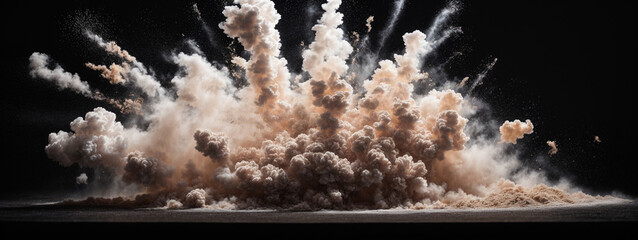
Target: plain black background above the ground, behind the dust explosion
[567,66]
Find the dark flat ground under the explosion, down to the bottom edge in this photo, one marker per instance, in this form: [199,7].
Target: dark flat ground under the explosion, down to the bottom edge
[609,219]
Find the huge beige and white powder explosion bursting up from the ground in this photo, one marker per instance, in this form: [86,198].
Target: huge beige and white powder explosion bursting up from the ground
[329,142]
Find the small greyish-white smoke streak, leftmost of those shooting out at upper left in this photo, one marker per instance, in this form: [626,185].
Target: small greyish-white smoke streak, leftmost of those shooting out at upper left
[38,65]
